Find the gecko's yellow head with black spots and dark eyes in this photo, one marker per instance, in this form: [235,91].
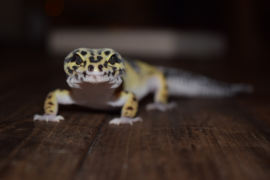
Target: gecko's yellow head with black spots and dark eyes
[94,65]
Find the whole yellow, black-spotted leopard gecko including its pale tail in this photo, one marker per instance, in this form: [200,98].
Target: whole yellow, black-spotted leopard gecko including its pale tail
[102,79]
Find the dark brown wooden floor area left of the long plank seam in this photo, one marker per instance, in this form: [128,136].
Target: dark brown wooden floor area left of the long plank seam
[39,150]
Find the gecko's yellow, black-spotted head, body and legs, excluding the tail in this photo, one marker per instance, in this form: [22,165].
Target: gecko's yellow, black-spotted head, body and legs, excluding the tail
[102,79]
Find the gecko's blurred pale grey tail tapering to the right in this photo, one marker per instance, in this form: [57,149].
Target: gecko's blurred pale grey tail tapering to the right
[184,83]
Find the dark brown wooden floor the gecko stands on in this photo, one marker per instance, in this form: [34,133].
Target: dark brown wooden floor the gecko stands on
[200,139]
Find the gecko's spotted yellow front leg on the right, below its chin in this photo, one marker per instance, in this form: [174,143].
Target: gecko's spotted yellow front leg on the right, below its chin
[129,109]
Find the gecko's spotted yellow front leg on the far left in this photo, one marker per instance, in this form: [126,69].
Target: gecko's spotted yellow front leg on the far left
[51,105]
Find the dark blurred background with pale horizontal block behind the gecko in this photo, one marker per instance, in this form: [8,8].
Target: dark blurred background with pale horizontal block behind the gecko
[231,30]
